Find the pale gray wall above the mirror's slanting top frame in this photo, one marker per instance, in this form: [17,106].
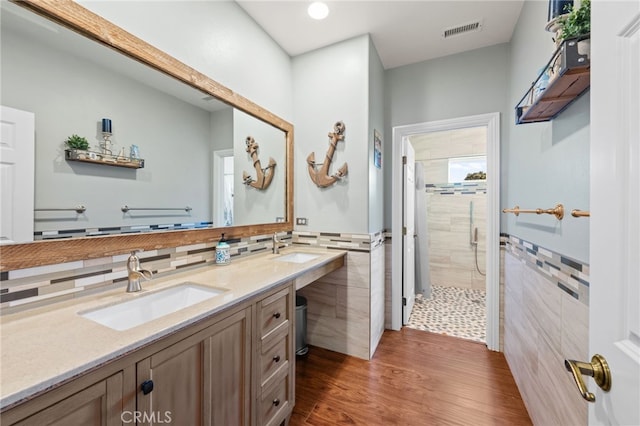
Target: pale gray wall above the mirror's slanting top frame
[216,38]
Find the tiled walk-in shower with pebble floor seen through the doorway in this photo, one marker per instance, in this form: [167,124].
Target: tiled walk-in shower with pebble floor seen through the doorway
[453,216]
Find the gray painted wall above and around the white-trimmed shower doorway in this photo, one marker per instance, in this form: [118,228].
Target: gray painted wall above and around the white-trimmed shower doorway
[464,84]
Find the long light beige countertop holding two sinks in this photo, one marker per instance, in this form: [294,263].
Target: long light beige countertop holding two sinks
[46,346]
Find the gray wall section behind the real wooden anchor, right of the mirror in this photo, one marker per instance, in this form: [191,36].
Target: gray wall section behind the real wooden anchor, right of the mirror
[330,85]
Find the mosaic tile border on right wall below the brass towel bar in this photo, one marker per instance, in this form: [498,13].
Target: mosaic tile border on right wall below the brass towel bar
[570,275]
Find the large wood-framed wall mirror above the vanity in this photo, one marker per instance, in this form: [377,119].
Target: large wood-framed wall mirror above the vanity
[190,131]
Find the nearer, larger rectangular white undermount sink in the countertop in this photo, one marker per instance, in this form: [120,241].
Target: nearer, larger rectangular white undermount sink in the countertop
[145,308]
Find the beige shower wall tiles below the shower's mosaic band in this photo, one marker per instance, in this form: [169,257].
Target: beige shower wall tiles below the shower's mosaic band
[451,256]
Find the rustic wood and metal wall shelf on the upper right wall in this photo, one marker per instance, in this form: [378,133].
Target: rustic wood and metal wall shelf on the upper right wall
[565,77]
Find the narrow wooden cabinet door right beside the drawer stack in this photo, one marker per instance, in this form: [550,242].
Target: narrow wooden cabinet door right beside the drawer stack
[229,365]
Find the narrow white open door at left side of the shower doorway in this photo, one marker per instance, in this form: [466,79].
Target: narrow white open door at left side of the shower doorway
[408,229]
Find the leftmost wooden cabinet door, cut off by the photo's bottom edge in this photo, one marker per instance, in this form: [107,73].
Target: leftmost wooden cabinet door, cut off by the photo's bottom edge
[99,405]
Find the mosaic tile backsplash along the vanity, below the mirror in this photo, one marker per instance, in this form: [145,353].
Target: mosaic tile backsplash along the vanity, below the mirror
[25,288]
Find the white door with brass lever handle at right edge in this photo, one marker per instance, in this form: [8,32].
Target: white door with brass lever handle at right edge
[614,330]
